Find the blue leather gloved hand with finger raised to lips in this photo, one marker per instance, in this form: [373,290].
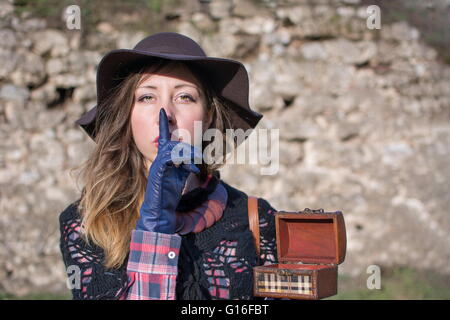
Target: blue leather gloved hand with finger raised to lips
[166,180]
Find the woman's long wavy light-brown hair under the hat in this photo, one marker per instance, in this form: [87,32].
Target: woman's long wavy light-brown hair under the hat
[115,175]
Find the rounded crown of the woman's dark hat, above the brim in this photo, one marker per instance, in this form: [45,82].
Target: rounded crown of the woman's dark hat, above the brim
[170,42]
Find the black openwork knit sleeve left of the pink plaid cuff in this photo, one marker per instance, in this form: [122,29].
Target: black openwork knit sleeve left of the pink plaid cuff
[87,279]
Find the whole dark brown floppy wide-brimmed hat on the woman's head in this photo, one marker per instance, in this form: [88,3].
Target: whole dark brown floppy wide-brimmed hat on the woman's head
[228,77]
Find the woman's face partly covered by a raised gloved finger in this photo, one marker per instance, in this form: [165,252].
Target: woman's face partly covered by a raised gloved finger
[177,91]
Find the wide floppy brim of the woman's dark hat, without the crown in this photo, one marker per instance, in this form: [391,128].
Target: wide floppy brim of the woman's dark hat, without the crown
[230,81]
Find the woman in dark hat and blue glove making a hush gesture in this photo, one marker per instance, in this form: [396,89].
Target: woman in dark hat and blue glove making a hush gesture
[149,225]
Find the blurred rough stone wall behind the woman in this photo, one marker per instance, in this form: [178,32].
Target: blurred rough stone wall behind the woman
[364,119]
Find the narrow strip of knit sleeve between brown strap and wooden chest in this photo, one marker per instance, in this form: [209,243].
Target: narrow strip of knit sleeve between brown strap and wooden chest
[268,245]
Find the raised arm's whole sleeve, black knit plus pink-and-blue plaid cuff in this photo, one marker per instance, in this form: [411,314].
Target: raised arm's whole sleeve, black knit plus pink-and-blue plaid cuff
[150,272]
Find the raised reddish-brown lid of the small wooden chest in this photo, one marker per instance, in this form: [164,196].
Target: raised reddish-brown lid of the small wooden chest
[311,236]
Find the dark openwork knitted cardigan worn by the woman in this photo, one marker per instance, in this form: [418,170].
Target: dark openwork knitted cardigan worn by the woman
[196,249]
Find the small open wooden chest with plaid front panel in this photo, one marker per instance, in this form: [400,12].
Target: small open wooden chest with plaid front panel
[310,245]
